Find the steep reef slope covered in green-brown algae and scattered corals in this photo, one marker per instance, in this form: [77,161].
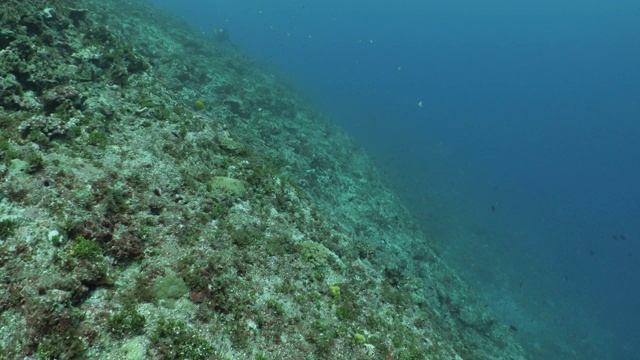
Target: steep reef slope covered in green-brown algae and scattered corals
[162,196]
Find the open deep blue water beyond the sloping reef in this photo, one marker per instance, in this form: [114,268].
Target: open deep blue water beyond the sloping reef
[523,162]
